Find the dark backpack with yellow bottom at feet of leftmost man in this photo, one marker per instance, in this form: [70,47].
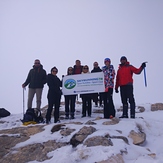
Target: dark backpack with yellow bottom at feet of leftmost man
[32,116]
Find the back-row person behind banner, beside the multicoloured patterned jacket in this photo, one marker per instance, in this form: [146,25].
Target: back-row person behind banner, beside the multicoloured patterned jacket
[96,68]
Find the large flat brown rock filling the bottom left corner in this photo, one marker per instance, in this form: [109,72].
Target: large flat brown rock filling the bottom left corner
[32,152]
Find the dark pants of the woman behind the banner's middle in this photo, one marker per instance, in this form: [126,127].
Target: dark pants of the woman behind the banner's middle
[86,104]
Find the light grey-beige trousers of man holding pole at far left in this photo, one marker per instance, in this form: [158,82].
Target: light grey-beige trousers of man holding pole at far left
[31,93]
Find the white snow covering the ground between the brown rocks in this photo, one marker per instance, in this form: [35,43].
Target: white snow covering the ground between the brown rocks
[150,122]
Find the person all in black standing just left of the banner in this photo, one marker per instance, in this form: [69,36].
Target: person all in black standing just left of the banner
[54,95]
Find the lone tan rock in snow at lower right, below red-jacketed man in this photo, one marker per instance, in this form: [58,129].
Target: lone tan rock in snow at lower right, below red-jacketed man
[138,138]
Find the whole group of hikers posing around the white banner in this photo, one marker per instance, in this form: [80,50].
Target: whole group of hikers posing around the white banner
[37,77]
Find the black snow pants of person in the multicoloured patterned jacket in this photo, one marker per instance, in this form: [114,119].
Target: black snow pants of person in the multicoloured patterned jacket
[109,108]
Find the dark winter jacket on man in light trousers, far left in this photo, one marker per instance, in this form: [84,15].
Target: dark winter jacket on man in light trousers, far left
[36,77]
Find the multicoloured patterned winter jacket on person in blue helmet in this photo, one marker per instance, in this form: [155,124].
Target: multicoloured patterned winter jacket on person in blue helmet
[109,74]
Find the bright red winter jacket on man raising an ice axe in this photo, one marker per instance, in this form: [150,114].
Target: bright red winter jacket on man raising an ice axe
[125,73]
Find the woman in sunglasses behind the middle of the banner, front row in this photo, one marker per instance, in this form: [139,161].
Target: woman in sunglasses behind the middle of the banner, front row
[86,98]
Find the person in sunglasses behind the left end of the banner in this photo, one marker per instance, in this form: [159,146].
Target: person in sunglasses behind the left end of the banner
[70,100]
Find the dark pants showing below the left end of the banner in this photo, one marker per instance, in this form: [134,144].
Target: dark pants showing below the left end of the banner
[70,105]
